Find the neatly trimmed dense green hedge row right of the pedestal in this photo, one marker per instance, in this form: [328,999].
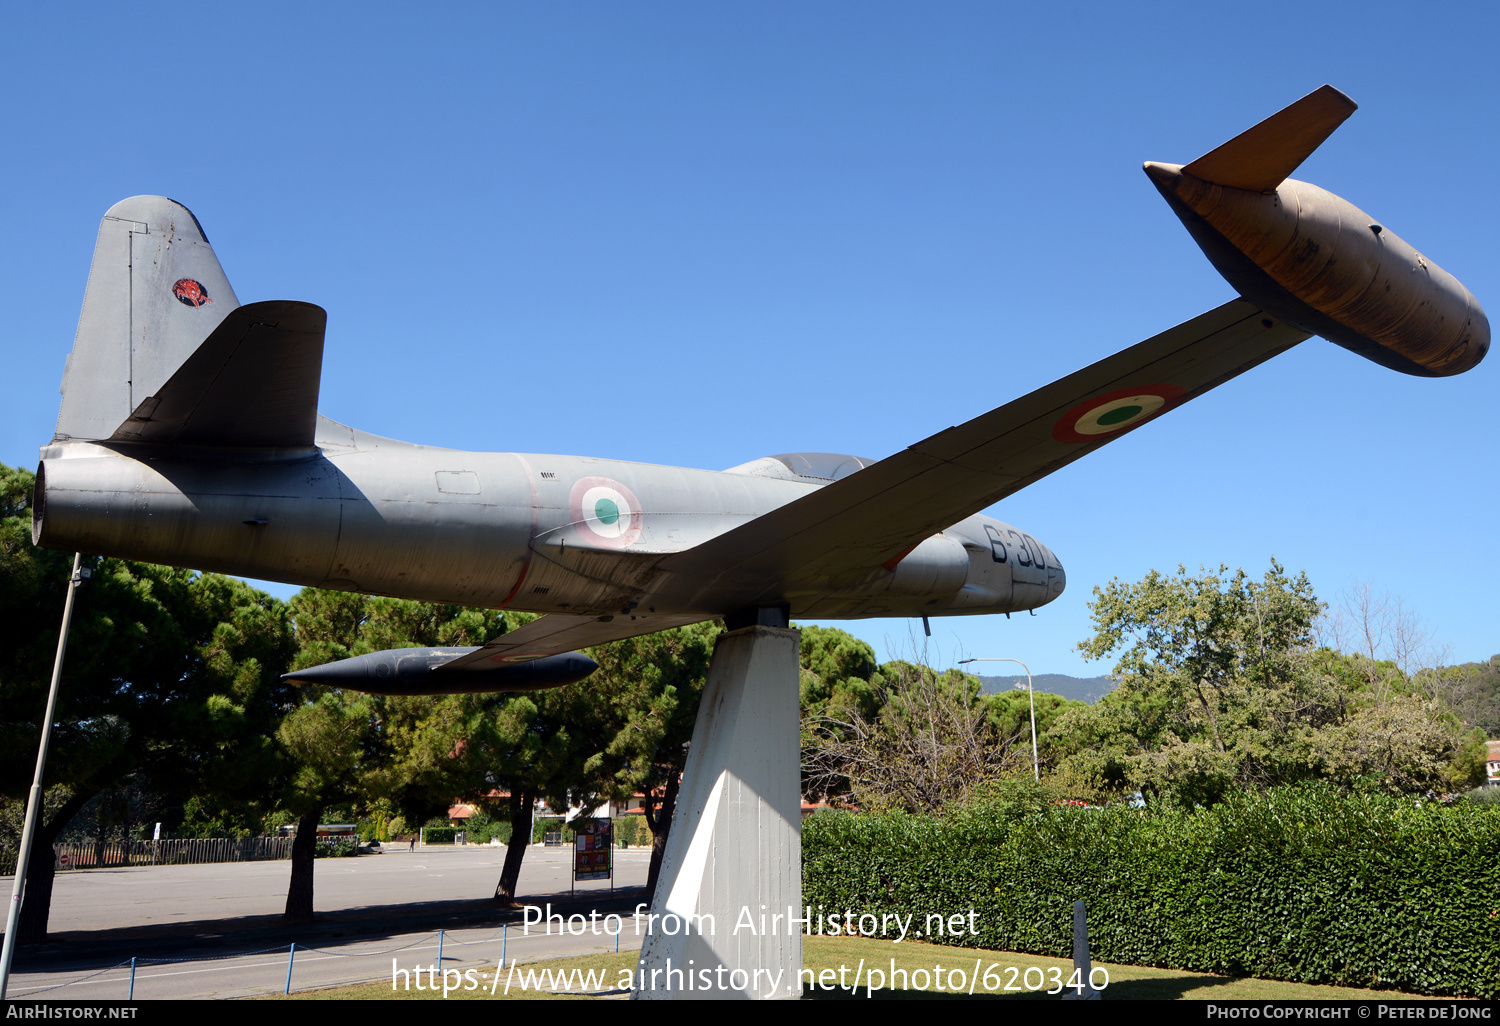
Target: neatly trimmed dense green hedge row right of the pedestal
[1297,884]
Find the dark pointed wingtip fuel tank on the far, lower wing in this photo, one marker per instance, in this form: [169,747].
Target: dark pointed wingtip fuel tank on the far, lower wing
[419,671]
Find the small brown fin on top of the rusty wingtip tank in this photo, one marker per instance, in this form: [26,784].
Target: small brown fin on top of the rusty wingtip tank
[1262,158]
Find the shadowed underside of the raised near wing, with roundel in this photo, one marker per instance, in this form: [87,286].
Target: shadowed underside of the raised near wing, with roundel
[875,517]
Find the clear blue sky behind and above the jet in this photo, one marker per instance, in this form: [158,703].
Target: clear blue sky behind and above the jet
[697,235]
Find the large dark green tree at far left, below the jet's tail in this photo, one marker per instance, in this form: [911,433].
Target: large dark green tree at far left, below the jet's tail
[172,677]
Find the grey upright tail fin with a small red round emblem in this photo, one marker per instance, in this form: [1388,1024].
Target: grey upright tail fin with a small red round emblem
[155,293]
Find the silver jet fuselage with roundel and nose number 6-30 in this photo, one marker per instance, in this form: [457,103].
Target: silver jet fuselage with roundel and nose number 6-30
[506,530]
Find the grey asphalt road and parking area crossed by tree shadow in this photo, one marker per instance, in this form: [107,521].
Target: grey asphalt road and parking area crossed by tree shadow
[215,931]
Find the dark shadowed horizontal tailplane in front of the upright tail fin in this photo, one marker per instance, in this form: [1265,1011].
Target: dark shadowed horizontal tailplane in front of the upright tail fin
[254,382]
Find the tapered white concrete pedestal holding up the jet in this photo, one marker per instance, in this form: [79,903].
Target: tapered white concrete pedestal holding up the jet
[733,871]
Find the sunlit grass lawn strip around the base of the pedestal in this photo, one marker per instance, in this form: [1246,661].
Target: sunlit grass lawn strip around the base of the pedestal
[1028,977]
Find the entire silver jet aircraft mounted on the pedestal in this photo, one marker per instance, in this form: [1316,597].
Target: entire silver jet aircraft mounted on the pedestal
[190,436]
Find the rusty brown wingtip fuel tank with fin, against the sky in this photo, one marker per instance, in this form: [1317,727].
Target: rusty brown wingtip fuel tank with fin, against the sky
[1316,260]
